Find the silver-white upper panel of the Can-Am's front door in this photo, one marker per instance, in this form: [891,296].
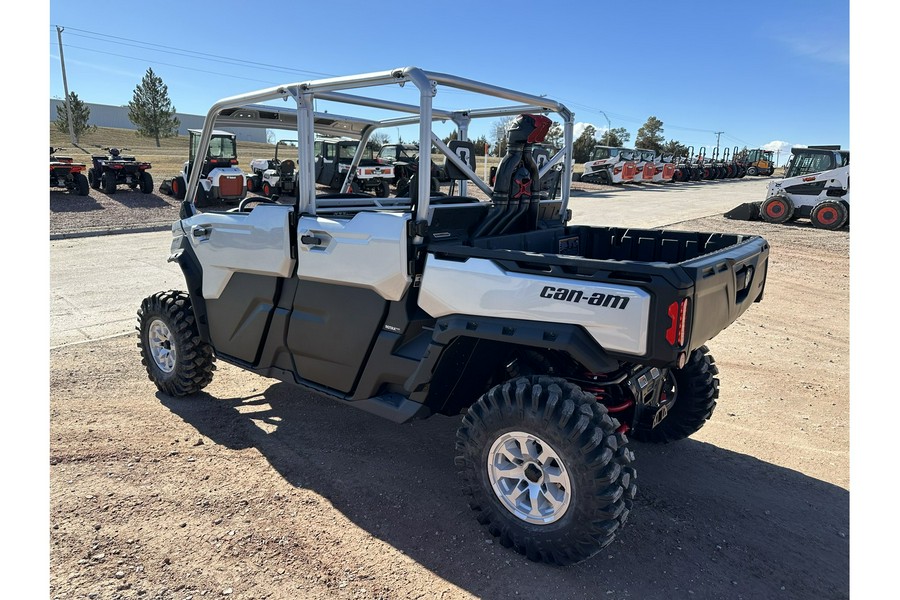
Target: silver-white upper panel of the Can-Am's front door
[257,242]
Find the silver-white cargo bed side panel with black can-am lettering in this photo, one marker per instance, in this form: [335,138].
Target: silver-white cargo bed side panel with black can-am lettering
[480,287]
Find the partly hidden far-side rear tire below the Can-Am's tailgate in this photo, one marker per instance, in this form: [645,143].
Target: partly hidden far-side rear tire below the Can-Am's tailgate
[695,388]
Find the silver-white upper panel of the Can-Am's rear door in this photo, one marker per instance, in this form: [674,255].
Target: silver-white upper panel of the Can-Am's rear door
[367,251]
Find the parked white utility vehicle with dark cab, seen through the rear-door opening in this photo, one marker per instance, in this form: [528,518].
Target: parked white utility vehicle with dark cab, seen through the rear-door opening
[333,161]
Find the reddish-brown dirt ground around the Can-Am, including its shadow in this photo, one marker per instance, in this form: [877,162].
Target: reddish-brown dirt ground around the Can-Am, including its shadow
[256,489]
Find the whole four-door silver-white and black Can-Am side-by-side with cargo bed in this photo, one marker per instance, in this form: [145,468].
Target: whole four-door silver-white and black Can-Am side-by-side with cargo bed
[555,342]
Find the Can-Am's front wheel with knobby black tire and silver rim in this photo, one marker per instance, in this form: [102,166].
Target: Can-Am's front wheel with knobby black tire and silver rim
[176,359]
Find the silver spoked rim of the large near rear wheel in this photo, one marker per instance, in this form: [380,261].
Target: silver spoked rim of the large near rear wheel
[529,478]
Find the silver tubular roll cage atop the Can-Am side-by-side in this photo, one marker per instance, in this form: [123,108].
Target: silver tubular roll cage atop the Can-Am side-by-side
[246,110]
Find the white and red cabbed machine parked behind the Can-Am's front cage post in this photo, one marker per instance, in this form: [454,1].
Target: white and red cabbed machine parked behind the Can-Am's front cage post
[220,181]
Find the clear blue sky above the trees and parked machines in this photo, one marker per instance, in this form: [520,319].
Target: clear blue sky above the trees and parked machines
[734,68]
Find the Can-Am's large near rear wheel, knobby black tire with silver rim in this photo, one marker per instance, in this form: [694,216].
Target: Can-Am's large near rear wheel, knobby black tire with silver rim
[545,470]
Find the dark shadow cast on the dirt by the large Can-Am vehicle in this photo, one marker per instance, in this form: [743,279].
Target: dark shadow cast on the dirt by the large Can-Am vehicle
[707,522]
